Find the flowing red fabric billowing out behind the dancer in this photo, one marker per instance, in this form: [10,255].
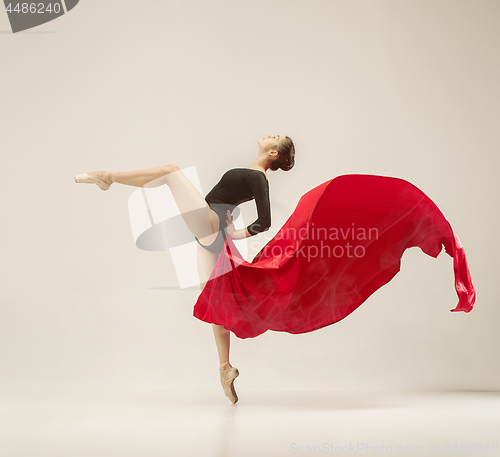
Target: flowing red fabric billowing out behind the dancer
[344,241]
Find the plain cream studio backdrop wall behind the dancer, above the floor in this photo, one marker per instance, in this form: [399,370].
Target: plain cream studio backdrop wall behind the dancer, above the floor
[406,89]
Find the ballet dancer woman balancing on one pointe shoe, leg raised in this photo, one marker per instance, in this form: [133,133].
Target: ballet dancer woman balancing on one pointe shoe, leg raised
[210,218]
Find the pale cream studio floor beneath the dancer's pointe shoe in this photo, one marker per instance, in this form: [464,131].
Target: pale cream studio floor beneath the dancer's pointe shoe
[150,424]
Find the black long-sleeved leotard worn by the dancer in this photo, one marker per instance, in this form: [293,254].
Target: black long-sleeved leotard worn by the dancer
[237,186]
